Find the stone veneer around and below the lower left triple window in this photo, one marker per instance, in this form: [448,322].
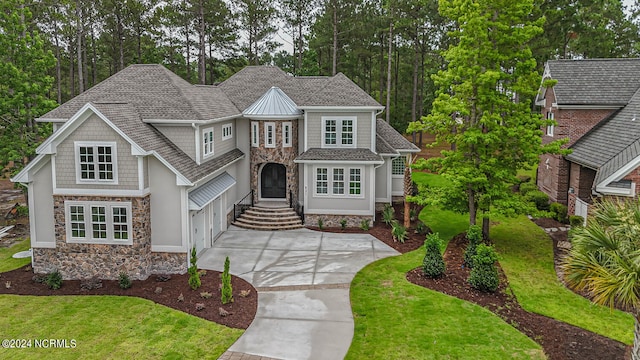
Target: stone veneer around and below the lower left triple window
[105,261]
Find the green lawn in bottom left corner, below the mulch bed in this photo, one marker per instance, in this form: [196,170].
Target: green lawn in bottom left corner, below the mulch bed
[109,327]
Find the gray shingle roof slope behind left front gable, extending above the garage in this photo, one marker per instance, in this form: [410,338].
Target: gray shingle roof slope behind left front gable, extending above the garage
[126,118]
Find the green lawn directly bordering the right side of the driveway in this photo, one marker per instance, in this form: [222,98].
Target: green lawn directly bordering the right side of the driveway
[395,319]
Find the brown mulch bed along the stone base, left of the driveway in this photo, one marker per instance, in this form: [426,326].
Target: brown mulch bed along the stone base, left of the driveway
[241,311]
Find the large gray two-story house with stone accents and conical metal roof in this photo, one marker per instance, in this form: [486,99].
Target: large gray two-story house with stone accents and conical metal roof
[145,166]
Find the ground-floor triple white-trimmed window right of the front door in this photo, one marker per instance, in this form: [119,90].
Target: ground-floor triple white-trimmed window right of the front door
[336,184]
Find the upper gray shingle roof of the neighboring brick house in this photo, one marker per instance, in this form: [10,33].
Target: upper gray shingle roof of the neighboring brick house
[595,81]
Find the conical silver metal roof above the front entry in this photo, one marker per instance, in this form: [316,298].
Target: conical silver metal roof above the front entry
[273,104]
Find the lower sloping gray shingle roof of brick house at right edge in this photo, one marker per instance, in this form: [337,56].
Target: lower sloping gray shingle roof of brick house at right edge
[611,144]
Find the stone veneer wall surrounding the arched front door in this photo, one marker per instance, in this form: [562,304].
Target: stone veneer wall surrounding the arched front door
[280,155]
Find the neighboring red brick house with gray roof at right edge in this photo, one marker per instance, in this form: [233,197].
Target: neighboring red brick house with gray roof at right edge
[595,103]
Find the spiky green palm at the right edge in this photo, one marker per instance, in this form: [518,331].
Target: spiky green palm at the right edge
[605,259]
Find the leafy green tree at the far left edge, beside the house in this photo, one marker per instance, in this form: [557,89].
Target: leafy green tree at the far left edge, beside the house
[24,84]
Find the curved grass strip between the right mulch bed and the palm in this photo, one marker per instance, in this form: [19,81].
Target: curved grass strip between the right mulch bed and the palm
[526,255]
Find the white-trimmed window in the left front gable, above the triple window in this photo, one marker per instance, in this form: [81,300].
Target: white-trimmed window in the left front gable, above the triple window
[96,162]
